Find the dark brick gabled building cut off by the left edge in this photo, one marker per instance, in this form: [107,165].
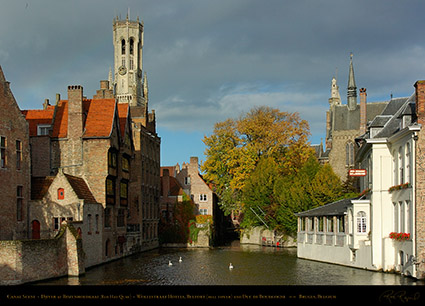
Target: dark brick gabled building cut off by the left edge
[14,166]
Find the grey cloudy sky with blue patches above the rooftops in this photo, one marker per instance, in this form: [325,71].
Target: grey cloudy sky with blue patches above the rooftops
[207,61]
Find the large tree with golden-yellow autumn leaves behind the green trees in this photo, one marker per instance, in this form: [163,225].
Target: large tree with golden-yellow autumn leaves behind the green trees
[236,146]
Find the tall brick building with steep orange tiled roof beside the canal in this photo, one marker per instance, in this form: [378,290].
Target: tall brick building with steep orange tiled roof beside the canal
[90,139]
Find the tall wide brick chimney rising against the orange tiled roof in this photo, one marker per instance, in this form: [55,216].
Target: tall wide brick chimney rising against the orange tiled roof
[75,111]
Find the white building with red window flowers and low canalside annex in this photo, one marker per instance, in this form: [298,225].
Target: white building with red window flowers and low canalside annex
[363,232]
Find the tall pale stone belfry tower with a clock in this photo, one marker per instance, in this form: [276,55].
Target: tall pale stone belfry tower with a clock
[128,84]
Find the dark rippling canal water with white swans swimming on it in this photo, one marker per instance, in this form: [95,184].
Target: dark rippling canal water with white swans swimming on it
[252,265]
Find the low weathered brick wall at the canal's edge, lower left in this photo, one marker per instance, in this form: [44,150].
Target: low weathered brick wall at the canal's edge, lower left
[23,261]
